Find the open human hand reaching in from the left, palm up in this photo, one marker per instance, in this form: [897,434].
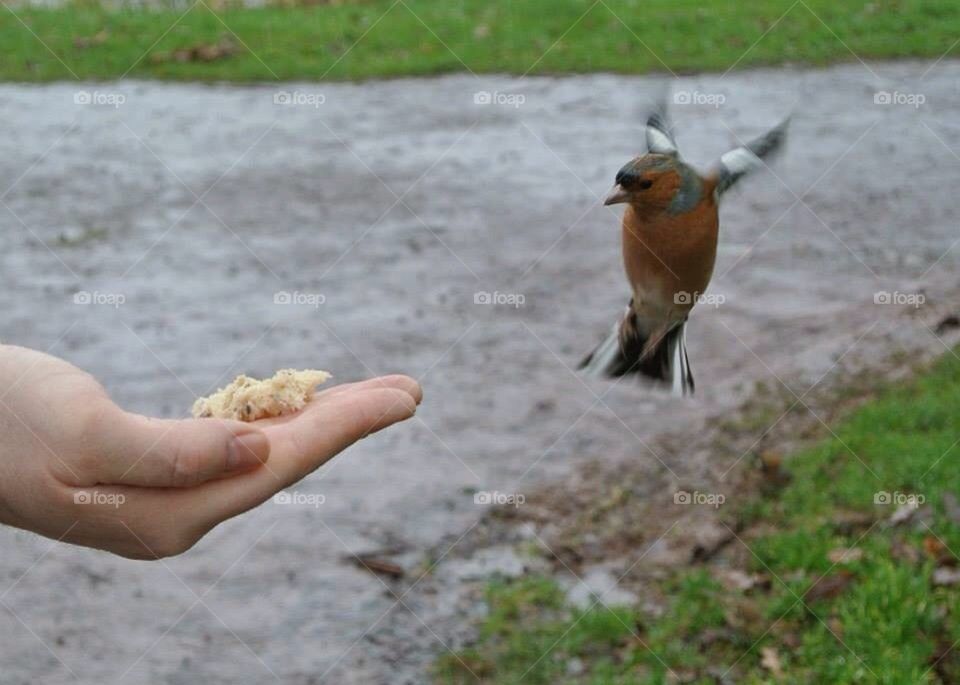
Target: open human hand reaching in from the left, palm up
[75,467]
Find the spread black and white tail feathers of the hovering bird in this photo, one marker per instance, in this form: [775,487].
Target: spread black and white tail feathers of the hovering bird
[660,356]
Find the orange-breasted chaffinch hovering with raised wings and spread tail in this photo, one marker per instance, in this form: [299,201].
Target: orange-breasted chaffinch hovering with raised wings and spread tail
[669,237]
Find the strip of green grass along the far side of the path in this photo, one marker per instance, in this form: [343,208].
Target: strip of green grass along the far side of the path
[388,38]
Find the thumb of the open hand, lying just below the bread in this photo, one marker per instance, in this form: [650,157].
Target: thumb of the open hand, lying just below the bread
[160,453]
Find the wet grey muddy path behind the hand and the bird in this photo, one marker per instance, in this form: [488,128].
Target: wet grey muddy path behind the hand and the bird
[383,210]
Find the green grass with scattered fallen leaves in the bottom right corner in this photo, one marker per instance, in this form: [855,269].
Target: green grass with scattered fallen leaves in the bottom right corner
[874,617]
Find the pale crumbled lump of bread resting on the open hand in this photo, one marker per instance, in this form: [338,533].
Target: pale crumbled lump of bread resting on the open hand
[249,399]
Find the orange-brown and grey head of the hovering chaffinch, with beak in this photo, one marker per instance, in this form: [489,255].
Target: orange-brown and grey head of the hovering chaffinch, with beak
[649,182]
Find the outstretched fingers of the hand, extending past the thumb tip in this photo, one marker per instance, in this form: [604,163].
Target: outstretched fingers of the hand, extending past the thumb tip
[301,446]
